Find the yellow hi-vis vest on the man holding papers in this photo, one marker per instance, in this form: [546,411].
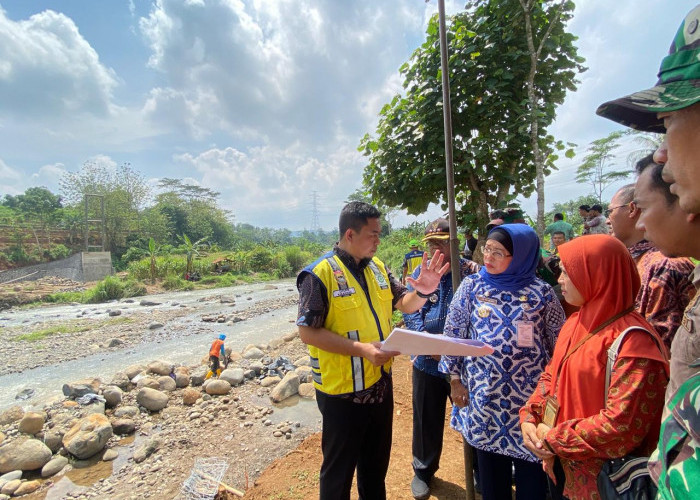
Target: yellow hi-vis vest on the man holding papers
[355,315]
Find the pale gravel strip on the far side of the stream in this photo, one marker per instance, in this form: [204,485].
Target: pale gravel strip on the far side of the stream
[110,328]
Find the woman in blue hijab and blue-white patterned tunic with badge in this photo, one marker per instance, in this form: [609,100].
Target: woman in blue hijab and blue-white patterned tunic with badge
[509,308]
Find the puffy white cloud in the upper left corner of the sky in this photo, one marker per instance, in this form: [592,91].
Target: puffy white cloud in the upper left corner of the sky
[49,70]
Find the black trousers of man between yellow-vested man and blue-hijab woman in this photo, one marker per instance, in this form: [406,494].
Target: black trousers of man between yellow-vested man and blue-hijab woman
[430,395]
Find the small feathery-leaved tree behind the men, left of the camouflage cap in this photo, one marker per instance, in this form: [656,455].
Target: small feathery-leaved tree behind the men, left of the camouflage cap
[598,165]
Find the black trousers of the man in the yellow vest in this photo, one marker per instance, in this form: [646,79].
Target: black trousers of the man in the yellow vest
[355,436]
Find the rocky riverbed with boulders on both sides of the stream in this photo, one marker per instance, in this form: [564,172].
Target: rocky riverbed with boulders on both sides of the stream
[139,433]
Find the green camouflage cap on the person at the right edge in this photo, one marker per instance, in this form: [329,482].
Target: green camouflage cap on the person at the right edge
[678,86]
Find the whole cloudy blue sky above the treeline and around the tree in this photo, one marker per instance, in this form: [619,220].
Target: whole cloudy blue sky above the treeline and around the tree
[264,101]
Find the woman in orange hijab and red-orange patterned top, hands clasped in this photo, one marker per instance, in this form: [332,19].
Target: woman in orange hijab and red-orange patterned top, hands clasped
[567,421]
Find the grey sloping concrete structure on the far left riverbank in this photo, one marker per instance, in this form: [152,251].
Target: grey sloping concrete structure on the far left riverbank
[83,266]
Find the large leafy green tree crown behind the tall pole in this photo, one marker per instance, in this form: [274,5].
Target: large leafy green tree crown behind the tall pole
[493,159]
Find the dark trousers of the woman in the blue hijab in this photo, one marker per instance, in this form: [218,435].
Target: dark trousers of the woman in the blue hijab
[496,477]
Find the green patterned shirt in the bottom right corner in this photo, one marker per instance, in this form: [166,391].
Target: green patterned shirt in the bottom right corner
[676,461]
